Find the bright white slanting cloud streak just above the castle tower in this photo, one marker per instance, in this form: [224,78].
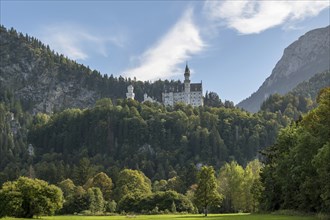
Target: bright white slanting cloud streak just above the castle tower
[176,47]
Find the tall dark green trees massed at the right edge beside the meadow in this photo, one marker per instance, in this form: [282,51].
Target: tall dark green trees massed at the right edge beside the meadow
[296,174]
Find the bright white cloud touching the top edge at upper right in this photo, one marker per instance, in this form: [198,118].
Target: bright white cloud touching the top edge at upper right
[253,16]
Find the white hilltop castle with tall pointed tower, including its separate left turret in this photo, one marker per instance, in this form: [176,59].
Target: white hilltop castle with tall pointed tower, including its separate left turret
[186,92]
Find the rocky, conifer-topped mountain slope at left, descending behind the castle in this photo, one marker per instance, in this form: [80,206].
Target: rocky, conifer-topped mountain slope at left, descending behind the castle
[45,81]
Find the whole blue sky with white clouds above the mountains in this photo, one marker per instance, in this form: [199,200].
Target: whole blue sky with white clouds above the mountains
[232,46]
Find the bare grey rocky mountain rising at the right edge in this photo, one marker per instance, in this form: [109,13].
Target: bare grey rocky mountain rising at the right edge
[307,56]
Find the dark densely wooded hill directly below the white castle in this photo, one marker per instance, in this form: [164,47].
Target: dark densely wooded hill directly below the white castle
[160,142]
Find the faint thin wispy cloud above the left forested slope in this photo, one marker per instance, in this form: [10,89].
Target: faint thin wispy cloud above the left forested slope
[76,42]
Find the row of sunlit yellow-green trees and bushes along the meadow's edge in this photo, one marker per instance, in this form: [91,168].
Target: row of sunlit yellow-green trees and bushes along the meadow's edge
[133,192]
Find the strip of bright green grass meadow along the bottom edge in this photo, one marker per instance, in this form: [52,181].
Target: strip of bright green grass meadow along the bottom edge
[181,217]
